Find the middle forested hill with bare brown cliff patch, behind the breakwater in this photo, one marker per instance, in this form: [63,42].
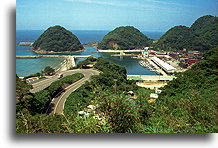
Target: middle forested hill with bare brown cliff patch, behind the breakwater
[124,38]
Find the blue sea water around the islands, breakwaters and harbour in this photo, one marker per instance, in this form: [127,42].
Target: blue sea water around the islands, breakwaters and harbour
[25,67]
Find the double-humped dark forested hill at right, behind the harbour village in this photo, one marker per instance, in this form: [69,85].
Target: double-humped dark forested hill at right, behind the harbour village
[202,35]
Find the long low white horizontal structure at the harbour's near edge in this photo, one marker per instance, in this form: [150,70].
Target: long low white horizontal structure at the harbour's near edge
[150,77]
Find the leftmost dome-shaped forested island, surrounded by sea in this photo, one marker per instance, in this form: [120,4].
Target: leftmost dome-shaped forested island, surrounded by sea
[57,39]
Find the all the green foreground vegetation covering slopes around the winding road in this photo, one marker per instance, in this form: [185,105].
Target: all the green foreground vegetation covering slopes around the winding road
[188,104]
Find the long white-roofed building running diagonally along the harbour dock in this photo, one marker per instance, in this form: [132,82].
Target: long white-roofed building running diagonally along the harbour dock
[165,66]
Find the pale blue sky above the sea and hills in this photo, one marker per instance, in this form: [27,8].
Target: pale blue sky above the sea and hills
[145,15]
